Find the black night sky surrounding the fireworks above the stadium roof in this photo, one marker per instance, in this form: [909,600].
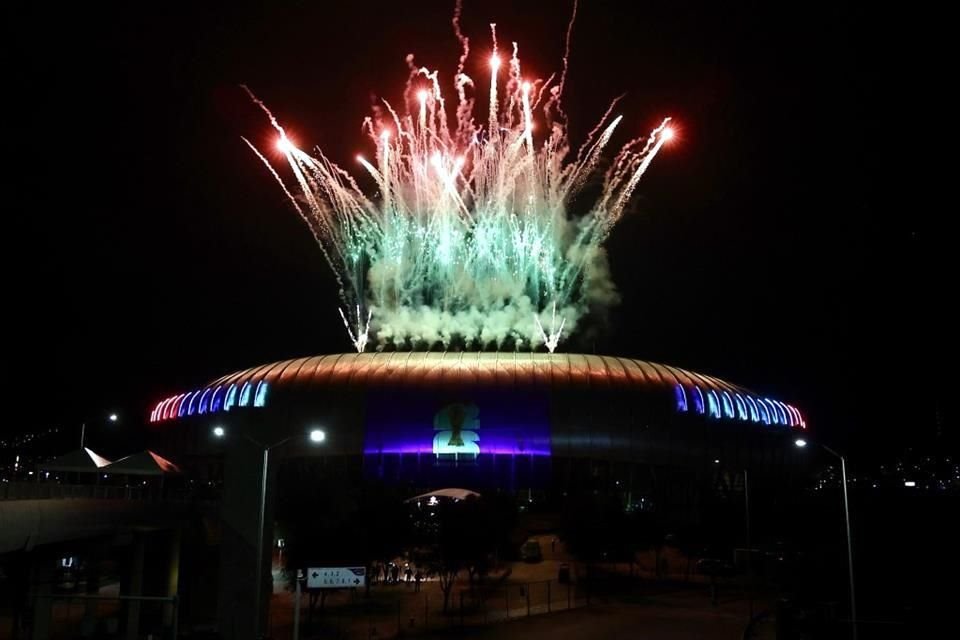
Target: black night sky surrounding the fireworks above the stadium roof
[765,247]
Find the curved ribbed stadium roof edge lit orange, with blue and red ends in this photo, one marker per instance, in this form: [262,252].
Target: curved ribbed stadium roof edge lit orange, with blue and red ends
[692,392]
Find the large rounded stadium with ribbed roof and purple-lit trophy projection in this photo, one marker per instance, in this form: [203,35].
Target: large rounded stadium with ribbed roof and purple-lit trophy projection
[520,421]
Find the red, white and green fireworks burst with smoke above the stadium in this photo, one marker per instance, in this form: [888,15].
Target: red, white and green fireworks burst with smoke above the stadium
[468,239]
